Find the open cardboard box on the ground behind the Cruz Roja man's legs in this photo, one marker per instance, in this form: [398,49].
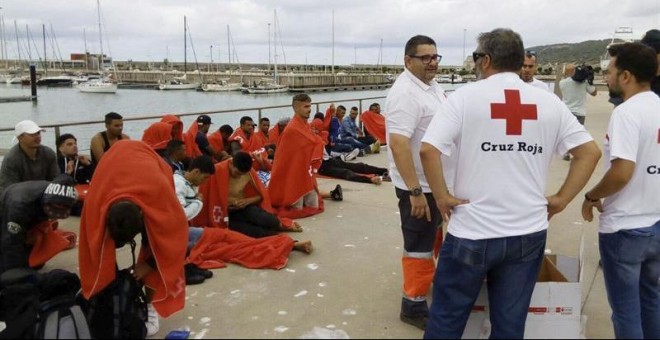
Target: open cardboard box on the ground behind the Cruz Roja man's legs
[556,305]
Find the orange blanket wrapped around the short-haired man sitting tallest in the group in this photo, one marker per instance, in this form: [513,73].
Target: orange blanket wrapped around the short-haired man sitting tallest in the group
[297,157]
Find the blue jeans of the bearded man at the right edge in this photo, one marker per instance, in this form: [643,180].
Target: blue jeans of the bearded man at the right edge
[631,268]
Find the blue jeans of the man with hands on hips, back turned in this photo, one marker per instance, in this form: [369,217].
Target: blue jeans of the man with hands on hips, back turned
[511,265]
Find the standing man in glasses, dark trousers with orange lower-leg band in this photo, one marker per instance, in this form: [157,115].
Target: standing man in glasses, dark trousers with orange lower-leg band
[413,100]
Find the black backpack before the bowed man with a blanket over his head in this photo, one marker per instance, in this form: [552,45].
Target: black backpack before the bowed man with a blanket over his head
[120,310]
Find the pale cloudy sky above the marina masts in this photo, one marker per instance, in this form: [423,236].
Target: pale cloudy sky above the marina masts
[153,29]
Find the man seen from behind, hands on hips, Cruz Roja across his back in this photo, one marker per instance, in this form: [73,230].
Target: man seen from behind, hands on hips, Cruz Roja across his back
[505,133]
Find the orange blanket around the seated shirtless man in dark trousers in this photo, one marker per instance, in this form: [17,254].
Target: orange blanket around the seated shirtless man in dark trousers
[216,195]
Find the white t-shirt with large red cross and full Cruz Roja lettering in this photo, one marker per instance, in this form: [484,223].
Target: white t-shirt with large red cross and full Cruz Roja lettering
[502,164]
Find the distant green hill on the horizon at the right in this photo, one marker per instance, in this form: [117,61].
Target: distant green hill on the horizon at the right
[588,52]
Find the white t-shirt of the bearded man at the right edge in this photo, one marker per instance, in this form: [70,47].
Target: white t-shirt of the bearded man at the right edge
[634,134]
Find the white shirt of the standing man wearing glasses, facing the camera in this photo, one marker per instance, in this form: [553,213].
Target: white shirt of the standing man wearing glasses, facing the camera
[410,106]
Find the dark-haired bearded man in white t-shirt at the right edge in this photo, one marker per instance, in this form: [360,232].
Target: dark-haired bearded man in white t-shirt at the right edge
[629,233]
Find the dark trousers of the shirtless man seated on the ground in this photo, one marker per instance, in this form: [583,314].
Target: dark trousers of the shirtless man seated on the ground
[254,221]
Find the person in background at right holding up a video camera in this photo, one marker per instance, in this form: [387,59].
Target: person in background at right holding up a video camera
[573,89]
